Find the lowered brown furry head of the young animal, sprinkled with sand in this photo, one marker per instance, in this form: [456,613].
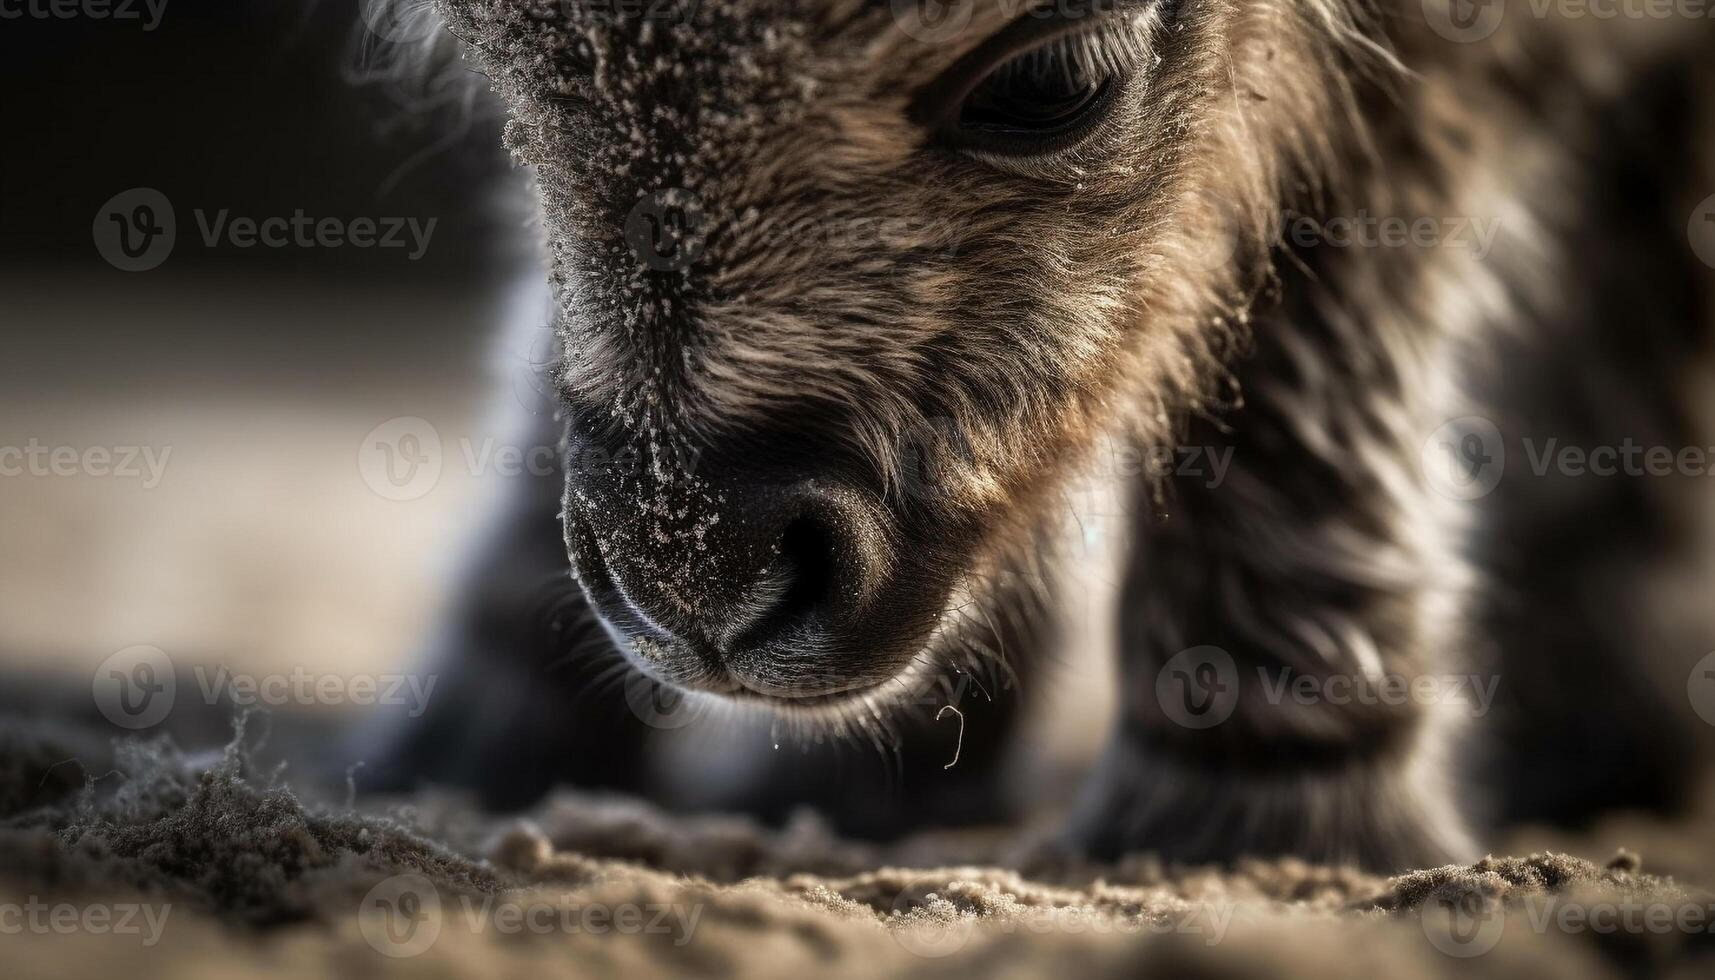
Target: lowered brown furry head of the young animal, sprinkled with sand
[848,287]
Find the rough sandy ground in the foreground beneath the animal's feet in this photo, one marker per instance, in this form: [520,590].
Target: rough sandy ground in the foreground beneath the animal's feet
[196,866]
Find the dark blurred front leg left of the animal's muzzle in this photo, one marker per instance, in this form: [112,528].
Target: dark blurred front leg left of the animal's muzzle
[527,686]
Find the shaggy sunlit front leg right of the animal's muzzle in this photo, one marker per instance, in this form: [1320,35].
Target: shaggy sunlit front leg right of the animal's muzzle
[1272,620]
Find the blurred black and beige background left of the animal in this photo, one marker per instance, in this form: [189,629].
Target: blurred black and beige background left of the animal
[250,375]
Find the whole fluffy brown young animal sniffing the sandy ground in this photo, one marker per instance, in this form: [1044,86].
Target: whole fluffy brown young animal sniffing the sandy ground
[848,293]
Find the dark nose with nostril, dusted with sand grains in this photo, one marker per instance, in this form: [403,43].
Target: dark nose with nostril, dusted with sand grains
[723,564]
